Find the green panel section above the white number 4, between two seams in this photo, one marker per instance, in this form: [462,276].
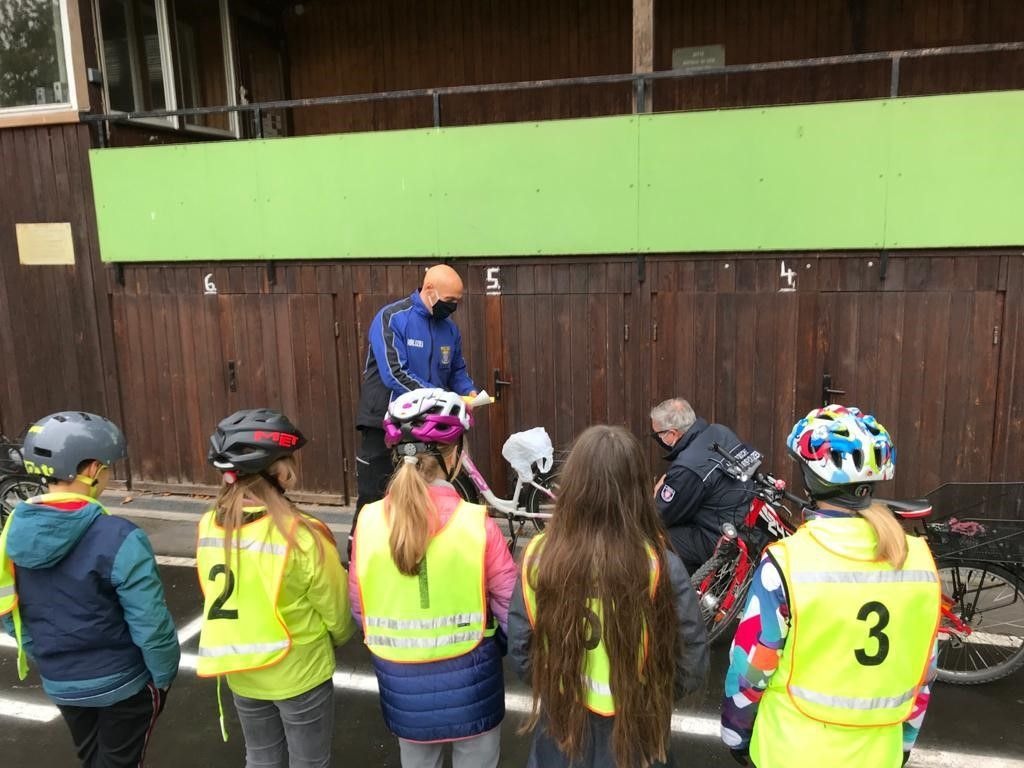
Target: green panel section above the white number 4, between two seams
[763,180]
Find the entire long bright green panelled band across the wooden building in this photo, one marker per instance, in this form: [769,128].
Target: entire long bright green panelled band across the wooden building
[940,172]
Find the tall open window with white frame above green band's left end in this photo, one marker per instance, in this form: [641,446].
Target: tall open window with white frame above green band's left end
[168,55]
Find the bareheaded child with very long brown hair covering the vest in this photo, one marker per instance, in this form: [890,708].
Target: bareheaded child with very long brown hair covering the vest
[605,623]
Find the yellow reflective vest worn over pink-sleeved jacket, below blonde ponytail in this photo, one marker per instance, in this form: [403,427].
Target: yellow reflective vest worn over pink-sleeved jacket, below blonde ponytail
[440,614]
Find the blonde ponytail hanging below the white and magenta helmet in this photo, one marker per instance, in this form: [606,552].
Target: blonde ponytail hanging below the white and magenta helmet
[410,509]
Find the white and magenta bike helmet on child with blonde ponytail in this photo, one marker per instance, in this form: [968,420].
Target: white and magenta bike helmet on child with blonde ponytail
[428,416]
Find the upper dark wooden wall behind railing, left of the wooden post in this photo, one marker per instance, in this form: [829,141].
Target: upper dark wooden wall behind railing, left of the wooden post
[364,47]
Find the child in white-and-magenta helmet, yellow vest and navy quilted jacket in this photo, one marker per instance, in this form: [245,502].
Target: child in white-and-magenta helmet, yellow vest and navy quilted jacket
[431,580]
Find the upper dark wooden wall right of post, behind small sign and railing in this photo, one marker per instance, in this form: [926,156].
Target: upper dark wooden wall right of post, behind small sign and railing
[755,32]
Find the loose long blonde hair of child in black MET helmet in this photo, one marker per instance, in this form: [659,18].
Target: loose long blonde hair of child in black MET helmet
[287,519]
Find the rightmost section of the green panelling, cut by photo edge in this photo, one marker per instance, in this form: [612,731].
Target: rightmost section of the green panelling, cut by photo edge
[958,172]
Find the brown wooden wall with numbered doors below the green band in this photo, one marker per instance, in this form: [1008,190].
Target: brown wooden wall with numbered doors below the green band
[935,351]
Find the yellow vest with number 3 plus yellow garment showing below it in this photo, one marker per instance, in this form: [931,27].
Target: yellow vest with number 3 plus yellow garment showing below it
[861,639]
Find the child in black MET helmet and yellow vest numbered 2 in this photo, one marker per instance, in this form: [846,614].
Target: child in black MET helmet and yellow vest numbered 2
[276,604]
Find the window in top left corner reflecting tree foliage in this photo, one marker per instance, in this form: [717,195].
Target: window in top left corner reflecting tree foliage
[34,56]
